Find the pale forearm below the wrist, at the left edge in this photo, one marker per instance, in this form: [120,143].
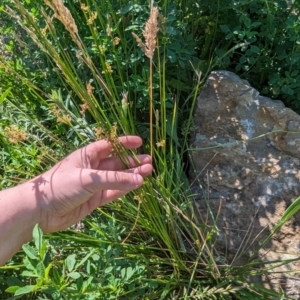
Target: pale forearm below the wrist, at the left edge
[18,215]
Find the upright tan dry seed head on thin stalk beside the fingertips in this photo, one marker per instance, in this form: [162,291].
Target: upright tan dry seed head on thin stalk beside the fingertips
[150,36]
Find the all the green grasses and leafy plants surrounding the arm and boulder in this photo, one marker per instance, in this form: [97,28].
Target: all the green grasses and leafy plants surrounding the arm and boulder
[65,84]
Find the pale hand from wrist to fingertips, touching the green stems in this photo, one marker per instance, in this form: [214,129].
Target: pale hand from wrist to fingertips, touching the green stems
[85,180]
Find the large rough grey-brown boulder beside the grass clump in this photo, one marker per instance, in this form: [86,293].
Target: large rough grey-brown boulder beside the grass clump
[246,155]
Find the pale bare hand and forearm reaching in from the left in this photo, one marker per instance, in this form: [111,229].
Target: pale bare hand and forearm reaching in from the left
[65,194]
